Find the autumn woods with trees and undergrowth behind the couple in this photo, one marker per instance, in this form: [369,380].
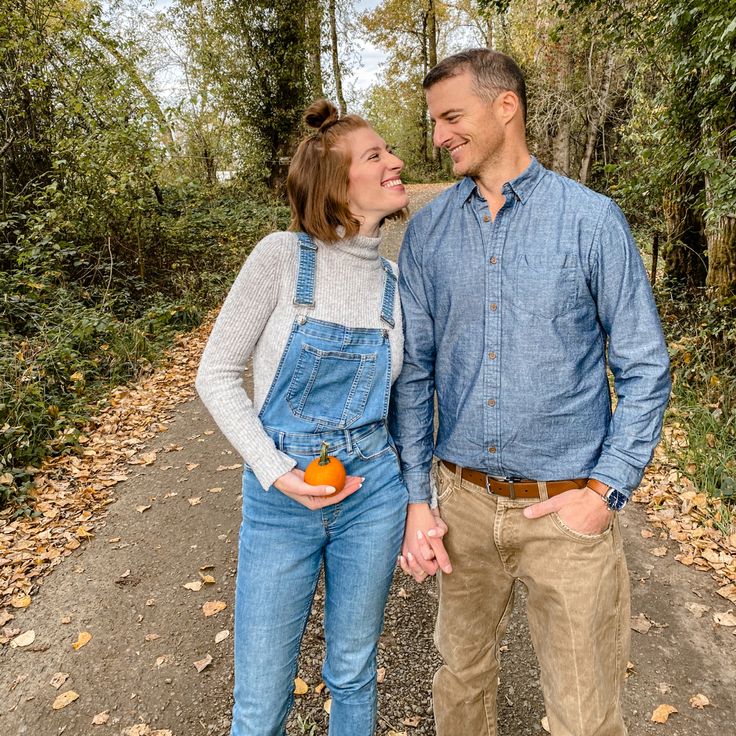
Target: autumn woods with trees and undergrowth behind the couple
[144,149]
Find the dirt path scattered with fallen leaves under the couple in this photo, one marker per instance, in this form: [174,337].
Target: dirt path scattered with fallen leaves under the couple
[126,588]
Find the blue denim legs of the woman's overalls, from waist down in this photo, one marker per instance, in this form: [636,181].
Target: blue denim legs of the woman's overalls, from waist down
[283,546]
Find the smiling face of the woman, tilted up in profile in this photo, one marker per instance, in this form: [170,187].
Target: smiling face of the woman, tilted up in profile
[374,184]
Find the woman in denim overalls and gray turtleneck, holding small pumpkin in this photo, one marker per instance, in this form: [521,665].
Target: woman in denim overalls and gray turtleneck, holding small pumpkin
[317,309]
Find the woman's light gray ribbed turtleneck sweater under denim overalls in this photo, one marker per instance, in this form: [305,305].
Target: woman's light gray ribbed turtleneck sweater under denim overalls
[256,319]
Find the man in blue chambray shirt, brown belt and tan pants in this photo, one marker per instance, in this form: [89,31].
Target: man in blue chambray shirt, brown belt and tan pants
[519,287]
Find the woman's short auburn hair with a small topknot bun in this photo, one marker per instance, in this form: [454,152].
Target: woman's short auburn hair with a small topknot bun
[317,182]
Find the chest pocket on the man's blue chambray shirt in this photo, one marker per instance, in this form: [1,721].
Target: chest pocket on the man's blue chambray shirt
[543,286]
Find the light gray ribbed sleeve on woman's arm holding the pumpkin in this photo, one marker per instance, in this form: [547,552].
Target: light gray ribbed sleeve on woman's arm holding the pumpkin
[219,381]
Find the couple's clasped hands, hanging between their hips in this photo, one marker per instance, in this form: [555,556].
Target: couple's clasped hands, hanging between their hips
[423,551]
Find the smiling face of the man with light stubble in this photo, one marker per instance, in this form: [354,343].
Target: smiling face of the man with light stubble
[466,125]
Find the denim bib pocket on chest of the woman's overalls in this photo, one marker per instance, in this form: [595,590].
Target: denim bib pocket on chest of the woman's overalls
[330,387]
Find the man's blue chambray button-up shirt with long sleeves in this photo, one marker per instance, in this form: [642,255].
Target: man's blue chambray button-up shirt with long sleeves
[511,321]
